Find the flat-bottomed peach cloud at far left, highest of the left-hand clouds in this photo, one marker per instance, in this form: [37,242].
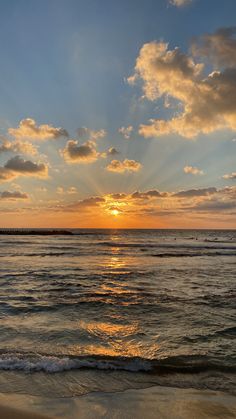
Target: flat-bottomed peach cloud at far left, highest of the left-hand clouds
[29,130]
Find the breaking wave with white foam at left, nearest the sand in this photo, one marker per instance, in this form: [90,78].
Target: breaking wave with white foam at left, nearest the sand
[54,364]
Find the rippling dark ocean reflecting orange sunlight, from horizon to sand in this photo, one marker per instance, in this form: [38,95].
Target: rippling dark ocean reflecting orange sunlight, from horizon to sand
[111,310]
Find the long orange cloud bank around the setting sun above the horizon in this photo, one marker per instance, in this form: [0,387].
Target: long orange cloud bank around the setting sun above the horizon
[146,207]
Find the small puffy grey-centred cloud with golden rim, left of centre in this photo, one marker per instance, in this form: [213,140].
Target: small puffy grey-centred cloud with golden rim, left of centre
[84,153]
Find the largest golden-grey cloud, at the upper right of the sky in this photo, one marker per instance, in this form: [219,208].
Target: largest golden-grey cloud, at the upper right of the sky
[208,102]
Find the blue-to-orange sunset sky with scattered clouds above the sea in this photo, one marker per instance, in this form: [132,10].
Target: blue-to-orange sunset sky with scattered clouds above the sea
[118,114]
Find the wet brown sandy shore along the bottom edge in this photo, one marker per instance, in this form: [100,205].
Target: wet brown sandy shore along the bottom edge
[150,403]
